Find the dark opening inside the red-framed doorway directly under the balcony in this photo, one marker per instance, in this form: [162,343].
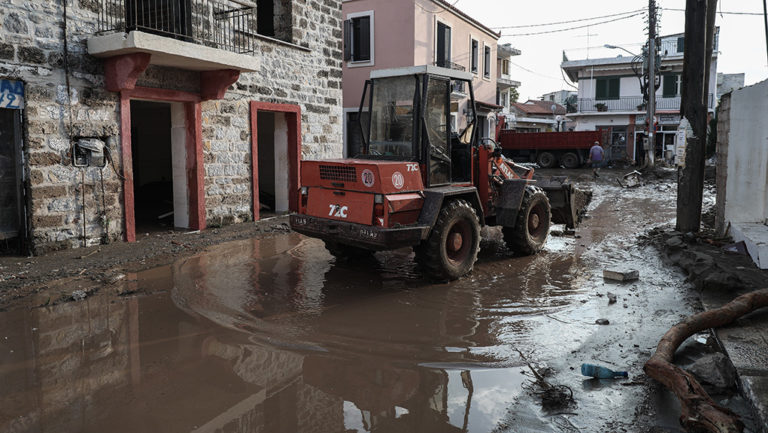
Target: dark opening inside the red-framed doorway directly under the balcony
[152,165]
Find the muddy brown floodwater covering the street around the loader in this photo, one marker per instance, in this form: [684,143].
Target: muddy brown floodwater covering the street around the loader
[276,335]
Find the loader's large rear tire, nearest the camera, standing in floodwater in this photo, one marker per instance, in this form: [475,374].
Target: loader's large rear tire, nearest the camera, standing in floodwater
[451,249]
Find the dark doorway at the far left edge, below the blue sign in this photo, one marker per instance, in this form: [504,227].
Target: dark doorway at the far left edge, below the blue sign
[12,218]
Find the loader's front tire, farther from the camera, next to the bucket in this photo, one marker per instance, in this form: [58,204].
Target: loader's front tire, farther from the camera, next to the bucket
[531,229]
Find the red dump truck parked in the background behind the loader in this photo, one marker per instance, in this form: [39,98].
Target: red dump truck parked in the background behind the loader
[569,149]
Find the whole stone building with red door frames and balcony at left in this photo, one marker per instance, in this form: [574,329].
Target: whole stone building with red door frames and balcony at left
[119,117]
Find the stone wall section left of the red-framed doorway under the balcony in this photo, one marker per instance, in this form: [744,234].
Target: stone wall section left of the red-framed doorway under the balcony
[32,50]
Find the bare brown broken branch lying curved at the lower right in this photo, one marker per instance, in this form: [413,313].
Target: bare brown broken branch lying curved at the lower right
[699,413]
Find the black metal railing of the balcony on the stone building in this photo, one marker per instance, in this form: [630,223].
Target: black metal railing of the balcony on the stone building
[225,24]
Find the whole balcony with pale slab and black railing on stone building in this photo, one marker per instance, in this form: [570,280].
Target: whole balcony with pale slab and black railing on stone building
[201,35]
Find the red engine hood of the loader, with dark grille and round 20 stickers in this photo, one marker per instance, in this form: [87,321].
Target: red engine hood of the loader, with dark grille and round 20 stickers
[363,175]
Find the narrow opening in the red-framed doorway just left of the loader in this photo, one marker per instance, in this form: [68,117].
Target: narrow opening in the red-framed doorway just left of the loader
[273,163]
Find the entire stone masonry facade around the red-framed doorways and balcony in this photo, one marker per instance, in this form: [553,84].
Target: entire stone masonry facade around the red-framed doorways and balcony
[306,73]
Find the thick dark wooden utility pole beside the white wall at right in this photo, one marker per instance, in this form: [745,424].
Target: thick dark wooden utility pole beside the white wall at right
[699,42]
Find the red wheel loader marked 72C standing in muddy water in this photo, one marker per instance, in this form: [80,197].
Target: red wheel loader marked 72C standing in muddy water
[417,184]
